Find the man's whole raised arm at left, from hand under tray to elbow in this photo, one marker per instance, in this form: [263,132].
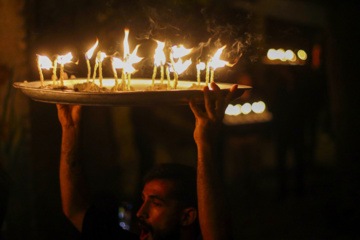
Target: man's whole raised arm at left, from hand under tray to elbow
[74,193]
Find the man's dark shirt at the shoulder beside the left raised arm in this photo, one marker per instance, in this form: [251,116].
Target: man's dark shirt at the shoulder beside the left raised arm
[102,223]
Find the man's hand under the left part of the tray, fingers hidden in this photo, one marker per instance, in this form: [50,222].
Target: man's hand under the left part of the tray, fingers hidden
[69,115]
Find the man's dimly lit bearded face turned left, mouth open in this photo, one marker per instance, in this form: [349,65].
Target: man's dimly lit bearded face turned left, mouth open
[160,213]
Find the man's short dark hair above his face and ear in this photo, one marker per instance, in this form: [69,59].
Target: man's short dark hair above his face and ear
[184,178]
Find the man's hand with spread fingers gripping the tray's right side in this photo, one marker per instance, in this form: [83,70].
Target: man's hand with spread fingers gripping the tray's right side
[209,121]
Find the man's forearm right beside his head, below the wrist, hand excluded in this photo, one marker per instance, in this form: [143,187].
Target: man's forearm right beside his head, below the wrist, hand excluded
[213,215]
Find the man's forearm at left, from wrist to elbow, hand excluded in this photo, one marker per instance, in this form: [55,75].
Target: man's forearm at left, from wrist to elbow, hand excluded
[74,193]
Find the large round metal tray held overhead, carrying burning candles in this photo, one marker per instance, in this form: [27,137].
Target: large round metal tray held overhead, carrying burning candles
[140,96]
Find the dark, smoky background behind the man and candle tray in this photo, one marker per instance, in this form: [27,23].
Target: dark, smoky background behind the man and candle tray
[295,177]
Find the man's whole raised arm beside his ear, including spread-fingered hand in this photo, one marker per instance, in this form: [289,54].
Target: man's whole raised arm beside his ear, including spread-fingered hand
[214,217]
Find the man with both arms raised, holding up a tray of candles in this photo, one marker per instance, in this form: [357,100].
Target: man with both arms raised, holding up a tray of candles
[163,214]
